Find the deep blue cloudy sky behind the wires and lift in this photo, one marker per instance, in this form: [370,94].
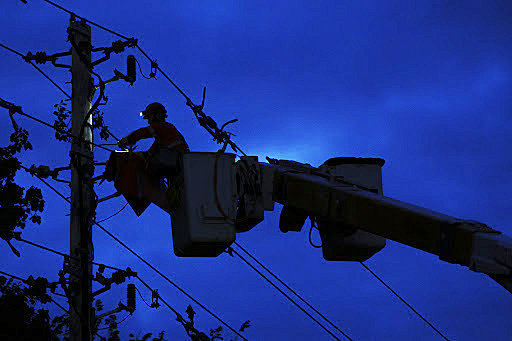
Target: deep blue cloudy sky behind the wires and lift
[425,85]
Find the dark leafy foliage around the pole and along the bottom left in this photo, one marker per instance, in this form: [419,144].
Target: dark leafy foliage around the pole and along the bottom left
[19,318]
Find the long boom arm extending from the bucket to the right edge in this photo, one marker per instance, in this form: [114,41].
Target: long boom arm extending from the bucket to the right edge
[339,196]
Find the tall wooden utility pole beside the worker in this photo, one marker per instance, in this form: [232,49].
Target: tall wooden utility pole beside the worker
[82,191]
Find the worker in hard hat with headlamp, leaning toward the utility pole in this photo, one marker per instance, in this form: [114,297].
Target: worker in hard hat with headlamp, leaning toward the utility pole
[164,158]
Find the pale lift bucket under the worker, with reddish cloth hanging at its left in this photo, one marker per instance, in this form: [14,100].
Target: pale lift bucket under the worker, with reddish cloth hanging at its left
[203,221]
